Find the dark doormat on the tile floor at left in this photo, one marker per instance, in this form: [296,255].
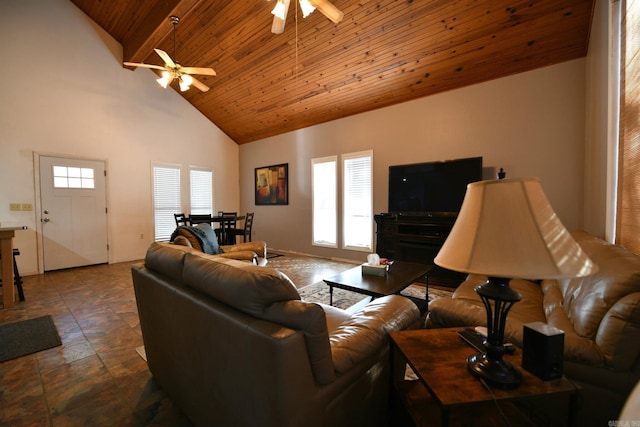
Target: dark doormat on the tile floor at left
[28,336]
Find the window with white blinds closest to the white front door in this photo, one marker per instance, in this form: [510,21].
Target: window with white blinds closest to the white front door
[166,199]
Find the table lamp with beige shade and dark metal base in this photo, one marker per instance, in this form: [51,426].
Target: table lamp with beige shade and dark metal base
[507,229]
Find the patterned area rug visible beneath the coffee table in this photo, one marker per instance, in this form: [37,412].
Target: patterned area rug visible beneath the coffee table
[319,292]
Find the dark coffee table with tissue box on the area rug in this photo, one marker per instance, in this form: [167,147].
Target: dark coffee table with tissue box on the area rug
[400,275]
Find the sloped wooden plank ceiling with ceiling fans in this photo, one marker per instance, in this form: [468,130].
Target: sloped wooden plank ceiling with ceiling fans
[384,52]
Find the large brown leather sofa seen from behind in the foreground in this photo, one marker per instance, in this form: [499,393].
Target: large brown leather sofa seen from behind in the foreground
[234,345]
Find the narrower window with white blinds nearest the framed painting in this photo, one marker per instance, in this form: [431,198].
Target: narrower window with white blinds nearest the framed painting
[324,200]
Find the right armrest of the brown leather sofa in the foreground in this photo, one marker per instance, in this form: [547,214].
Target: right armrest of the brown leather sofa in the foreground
[366,331]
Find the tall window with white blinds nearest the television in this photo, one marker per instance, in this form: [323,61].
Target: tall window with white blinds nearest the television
[357,201]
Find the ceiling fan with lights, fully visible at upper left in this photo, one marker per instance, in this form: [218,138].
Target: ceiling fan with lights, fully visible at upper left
[173,70]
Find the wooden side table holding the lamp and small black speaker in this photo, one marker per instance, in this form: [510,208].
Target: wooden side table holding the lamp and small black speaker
[439,359]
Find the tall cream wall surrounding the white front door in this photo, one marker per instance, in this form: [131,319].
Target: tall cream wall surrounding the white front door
[64,92]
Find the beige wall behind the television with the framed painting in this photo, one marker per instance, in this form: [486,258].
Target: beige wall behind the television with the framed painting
[531,124]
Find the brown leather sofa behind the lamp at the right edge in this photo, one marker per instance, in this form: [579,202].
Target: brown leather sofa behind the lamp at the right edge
[599,314]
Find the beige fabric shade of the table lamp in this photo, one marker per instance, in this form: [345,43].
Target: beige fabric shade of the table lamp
[507,228]
